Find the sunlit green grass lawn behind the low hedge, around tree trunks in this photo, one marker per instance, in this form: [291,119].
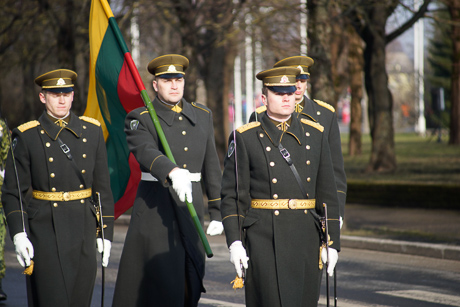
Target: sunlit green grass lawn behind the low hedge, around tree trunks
[420,160]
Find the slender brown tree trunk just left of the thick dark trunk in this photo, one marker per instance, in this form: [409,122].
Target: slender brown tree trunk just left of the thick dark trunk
[355,65]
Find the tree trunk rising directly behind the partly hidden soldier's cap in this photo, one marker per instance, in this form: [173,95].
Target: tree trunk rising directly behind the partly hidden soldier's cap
[319,33]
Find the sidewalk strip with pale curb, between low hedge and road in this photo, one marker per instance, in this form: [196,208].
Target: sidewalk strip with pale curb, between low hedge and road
[422,232]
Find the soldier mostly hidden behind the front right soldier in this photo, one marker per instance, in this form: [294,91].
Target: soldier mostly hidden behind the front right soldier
[321,112]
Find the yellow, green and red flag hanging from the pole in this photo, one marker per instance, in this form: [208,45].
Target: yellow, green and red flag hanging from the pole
[113,92]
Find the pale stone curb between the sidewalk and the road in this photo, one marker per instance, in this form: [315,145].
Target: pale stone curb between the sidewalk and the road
[439,251]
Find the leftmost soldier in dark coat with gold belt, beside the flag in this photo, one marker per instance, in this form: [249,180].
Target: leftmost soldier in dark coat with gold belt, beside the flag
[57,227]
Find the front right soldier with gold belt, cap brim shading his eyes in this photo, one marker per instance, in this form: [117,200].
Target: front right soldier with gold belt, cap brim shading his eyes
[268,214]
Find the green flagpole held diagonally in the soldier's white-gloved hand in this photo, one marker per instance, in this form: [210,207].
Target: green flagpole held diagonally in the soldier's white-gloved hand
[156,122]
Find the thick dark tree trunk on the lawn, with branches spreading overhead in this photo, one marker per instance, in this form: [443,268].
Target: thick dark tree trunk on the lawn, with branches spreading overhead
[383,157]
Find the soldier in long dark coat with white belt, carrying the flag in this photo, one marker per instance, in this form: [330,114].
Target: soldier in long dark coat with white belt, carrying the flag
[163,260]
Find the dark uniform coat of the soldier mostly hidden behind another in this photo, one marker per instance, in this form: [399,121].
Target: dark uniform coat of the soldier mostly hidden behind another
[324,114]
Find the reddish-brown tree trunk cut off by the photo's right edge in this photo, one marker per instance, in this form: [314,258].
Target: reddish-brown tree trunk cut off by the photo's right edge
[454,136]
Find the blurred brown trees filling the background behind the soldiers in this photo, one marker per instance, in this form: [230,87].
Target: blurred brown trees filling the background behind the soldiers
[361,66]
